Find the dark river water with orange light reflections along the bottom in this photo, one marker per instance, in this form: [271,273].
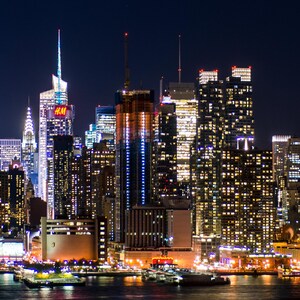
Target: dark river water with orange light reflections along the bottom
[241,287]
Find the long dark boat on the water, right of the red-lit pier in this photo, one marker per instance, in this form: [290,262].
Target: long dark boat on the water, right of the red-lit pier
[205,279]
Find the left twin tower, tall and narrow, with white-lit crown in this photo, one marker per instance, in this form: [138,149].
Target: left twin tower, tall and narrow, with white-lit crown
[210,138]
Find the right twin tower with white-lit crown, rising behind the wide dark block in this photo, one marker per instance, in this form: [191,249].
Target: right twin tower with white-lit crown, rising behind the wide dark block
[239,120]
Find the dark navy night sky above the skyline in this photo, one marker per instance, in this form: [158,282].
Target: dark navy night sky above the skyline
[214,35]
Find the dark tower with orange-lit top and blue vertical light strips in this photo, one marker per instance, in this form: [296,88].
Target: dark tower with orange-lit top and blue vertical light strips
[134,128]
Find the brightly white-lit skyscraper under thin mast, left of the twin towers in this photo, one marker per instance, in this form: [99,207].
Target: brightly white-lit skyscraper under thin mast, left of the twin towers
[183,96]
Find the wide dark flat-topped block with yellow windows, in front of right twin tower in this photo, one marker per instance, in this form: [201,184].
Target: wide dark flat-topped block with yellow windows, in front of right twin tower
[247,210]
